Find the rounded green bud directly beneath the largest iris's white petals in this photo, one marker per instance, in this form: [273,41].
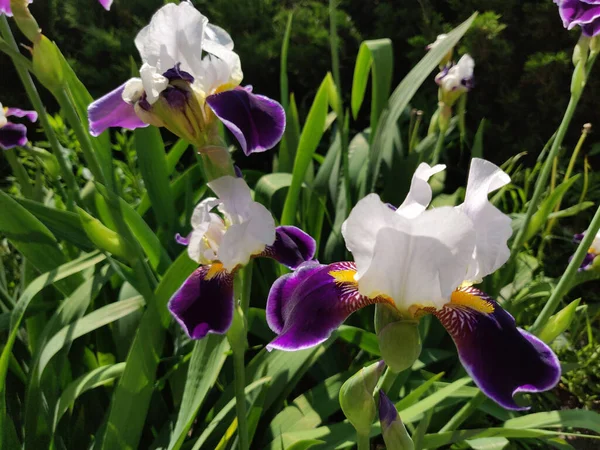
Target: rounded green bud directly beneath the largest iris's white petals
[399,339]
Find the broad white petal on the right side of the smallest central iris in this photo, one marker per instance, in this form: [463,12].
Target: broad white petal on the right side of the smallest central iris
[250,237]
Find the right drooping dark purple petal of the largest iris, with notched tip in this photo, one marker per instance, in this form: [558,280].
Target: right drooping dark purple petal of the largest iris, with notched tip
[502,359]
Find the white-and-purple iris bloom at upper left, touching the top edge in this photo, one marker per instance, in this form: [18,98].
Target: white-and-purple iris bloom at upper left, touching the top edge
[190,78]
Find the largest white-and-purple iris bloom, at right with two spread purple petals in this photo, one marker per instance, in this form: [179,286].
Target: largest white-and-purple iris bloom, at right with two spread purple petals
[420,262]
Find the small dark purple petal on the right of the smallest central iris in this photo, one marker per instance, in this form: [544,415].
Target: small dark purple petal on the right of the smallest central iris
[292,247]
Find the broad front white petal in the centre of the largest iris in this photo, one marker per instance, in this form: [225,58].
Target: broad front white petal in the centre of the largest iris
[420,261]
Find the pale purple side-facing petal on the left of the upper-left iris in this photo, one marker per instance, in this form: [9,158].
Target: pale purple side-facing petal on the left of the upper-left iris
[112,111]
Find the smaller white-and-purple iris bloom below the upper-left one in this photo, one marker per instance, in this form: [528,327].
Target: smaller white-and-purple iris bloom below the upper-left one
[227,232]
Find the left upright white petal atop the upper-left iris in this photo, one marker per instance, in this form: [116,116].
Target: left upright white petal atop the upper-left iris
[174,35]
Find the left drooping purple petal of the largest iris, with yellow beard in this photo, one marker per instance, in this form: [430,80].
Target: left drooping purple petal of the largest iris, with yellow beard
[306,306]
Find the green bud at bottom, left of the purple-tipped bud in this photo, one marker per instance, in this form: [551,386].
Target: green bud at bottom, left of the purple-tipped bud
[356,397]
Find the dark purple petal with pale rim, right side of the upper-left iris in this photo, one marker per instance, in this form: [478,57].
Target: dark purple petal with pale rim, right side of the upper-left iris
[257,122]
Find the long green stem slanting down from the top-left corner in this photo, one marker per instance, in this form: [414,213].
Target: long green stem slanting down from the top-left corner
[36,101]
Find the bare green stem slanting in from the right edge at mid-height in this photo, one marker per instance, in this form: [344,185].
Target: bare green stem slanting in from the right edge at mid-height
[565,282]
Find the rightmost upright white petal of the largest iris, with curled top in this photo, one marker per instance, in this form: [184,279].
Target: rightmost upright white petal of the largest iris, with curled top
[492,227]
